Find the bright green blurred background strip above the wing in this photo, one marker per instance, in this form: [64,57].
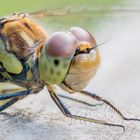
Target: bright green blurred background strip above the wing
[7,7]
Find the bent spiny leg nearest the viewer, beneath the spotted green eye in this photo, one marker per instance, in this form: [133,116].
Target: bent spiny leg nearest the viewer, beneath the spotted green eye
[67,113]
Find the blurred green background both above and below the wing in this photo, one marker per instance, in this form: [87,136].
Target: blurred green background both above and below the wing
[88,19]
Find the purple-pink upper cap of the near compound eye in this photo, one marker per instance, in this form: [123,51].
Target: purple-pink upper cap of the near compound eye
[60,44]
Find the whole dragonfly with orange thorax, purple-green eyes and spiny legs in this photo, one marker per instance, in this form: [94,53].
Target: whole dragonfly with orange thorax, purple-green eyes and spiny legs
[32,59]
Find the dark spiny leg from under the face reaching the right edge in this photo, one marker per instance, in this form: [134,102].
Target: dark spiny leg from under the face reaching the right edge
[98,98]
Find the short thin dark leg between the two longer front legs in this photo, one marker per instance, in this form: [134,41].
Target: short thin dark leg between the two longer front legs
[79,101]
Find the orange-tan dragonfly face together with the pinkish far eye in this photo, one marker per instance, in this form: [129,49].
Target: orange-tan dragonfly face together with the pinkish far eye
[84,63]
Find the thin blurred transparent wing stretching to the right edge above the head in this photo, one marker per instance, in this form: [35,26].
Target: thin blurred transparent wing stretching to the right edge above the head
[84,9]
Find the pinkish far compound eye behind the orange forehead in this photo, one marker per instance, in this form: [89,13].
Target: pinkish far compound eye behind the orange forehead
[83,35]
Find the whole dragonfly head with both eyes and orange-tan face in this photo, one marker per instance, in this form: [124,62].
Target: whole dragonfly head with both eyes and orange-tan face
[69,58]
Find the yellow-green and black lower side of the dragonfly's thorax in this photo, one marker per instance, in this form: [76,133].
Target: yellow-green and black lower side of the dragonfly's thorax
[13,69]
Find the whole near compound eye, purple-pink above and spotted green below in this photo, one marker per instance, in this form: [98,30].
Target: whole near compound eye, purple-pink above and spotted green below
[56,57]
